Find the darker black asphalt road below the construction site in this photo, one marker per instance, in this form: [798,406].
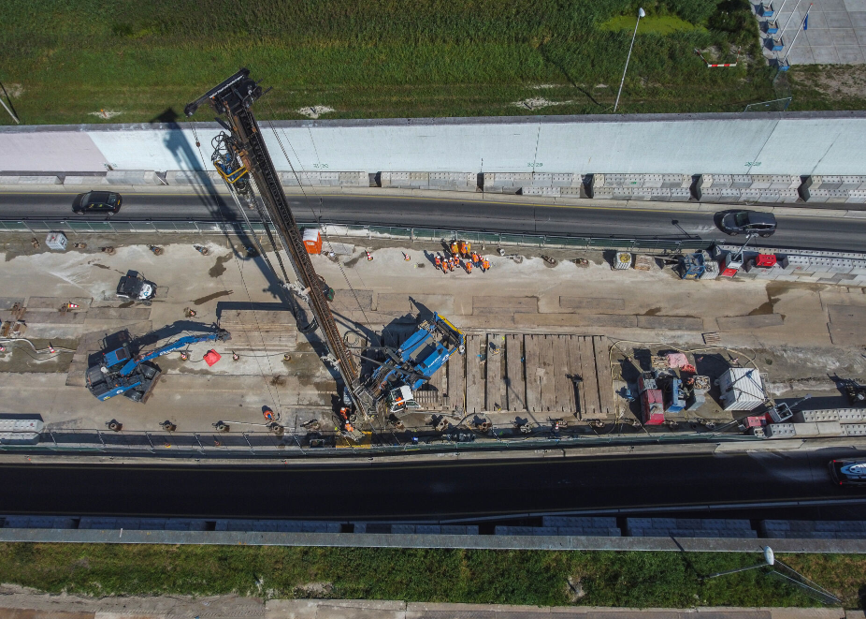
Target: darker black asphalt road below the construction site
[422,490]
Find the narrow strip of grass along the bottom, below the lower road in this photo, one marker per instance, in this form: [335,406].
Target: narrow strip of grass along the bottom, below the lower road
[507,577]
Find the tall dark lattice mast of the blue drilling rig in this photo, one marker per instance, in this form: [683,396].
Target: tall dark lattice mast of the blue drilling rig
[233,99]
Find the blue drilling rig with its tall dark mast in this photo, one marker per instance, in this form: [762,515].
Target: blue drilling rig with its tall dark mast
[241,156]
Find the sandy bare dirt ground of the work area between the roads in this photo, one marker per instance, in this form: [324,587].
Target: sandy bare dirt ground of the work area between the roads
[522,293]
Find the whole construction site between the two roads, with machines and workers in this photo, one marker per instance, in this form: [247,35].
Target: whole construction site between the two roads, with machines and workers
[272,338]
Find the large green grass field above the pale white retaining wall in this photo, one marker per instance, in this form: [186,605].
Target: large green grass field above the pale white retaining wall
[64,60]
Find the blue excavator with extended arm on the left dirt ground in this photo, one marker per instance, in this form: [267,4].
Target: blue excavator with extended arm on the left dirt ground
[119,372]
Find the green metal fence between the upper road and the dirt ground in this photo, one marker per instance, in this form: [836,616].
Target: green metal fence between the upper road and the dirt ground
[349,233]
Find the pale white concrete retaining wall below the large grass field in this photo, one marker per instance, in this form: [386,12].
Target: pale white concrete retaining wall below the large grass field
[803,143]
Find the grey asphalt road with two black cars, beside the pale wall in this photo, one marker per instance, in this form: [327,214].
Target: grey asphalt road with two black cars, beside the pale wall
[454,214]
